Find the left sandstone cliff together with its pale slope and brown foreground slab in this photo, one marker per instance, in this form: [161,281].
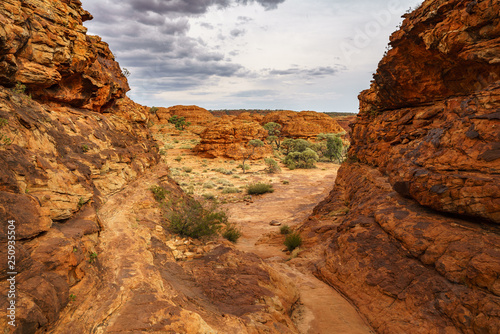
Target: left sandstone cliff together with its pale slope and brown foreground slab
[76,164]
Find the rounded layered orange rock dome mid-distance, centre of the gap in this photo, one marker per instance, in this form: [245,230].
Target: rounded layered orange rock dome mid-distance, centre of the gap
[229,138]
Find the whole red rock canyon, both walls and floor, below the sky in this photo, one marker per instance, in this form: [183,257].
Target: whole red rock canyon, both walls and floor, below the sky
[403,238]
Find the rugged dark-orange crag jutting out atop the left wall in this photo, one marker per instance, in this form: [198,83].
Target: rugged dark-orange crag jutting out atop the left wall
[44,46]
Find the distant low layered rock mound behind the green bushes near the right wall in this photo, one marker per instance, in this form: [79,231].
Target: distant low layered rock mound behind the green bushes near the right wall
[305,124]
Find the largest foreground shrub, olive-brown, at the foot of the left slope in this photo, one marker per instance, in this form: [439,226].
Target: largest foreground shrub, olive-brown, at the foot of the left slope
[190,219]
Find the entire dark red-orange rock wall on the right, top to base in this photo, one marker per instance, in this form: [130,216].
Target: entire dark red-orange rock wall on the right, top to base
[411,228]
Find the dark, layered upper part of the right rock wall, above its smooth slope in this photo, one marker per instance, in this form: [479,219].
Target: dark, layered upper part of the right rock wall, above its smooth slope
[433,126]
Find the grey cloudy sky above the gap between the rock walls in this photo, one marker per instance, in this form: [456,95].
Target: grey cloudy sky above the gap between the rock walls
[249,54]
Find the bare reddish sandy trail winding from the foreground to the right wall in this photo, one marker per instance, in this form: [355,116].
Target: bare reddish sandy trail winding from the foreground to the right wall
[322,310]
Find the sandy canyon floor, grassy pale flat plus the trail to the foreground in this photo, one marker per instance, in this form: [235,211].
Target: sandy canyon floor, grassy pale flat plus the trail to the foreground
[322,310]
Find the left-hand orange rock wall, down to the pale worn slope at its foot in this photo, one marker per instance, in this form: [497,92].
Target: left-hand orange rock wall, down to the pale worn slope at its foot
[73,139]
